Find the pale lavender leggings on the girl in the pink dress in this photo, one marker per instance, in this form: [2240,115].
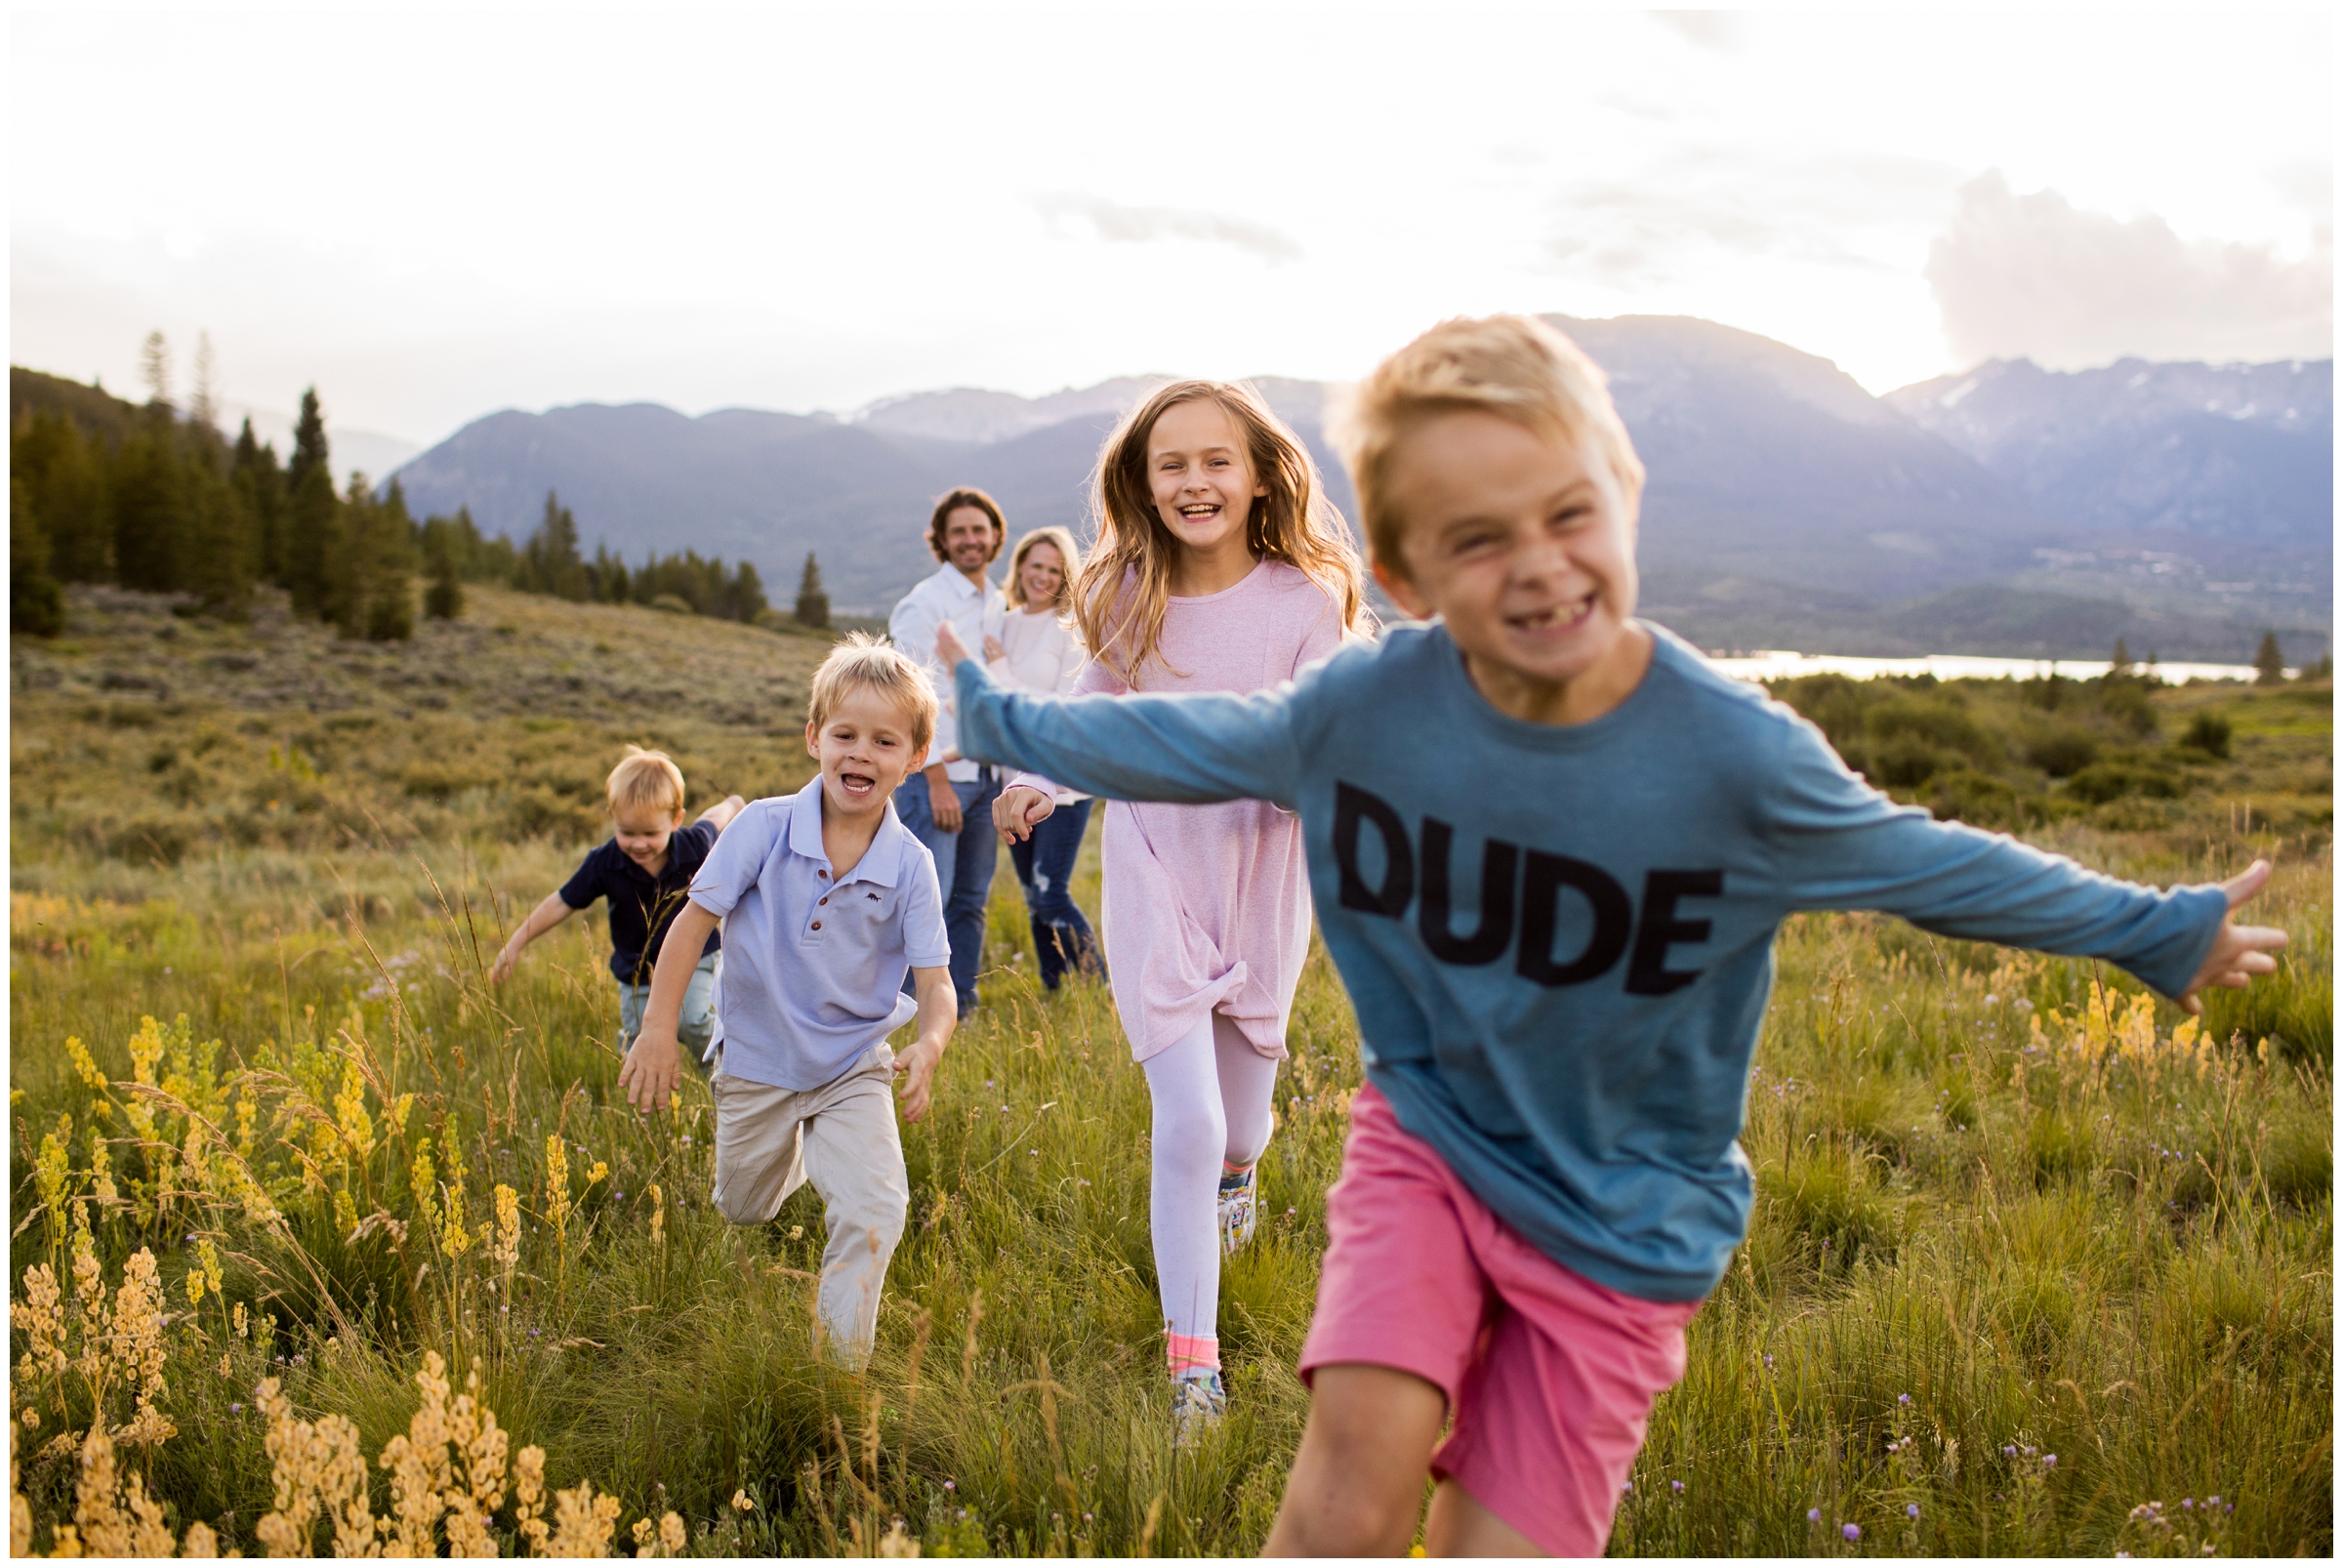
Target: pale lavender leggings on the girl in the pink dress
[1213,1110]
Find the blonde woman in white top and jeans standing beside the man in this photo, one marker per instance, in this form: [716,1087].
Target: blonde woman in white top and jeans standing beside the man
[1041,653]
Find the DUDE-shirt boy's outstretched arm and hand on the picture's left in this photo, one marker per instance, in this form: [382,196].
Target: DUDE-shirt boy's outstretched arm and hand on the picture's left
[1175,749]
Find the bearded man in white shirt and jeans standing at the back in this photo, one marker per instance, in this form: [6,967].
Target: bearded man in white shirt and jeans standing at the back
[950,805]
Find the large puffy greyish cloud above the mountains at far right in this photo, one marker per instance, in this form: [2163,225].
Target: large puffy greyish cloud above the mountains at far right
[2070,289]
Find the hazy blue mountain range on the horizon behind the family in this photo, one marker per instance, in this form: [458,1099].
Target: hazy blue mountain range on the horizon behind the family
[2004,512]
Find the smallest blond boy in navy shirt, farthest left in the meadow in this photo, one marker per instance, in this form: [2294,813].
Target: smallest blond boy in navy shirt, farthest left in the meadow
[643,871]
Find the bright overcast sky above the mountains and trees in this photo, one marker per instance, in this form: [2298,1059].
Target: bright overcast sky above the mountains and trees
[439,214]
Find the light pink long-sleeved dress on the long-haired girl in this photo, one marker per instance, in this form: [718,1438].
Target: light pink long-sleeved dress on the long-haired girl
[1208,908]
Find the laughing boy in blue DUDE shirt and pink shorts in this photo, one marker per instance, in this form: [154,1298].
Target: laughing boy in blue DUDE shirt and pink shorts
[1550,852]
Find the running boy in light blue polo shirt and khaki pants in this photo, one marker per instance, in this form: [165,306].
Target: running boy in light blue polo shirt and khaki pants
[826,901]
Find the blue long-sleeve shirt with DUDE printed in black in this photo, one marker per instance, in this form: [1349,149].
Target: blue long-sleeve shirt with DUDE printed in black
[1562,939]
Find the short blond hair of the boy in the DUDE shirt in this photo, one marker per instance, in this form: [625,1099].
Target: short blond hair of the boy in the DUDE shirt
[1512,367]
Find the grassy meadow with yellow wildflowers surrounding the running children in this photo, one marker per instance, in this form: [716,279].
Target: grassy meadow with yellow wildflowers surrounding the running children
[346,1248]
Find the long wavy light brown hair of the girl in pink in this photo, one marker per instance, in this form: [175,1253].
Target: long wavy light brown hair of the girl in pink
[1292,524]
